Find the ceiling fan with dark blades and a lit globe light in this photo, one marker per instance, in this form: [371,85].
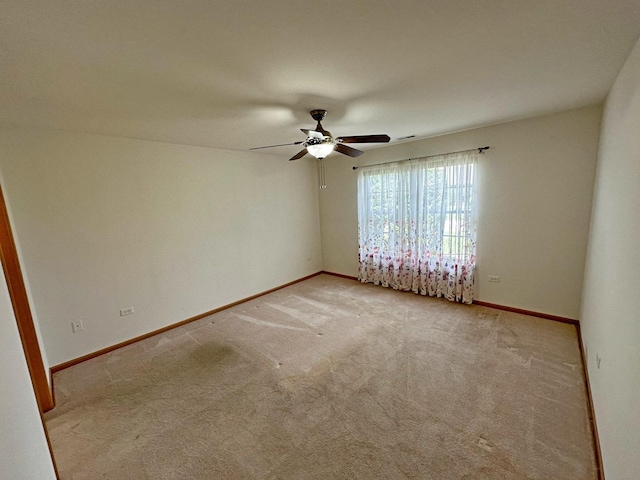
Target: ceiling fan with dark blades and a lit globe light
[321,143]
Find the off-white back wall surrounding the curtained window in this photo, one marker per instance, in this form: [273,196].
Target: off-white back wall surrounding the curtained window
[536,186]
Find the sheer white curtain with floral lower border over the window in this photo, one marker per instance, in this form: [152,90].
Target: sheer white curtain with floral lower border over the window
[417,225]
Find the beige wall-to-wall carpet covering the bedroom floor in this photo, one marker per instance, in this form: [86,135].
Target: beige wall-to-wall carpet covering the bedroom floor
[332,379]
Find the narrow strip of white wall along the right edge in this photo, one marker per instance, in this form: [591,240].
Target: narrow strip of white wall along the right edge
[610,316]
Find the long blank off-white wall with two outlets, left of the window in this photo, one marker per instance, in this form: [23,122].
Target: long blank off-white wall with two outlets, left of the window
[105,223]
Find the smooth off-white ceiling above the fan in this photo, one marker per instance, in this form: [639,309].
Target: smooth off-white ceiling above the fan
[241,74]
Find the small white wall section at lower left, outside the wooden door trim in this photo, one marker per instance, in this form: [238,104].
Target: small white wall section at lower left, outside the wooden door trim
[24,453]
